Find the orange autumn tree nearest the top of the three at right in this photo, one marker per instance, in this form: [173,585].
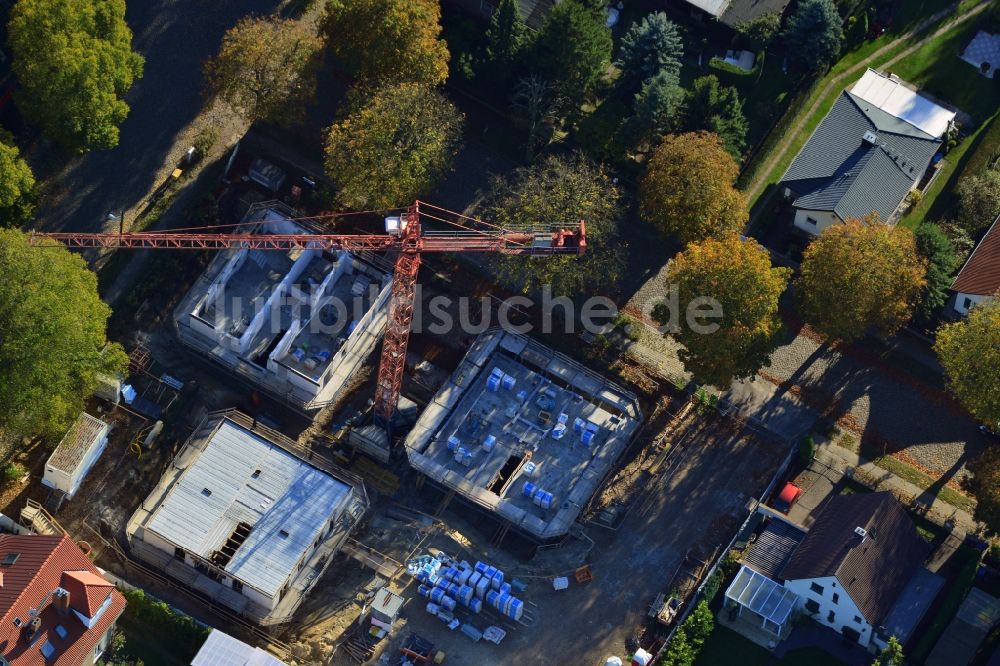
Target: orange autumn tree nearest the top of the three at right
[688,191]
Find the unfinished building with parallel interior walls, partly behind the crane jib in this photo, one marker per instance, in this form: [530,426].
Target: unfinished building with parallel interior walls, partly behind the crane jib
[294,323]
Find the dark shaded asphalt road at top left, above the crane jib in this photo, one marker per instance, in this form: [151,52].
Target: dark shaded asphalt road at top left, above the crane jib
[175,37]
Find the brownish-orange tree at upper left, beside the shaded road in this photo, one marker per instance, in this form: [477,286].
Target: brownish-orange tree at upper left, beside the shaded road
[266,67]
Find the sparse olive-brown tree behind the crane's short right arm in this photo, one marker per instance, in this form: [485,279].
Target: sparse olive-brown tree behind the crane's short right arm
[559,191]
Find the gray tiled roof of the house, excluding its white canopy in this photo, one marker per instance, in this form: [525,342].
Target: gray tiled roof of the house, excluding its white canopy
[838,171]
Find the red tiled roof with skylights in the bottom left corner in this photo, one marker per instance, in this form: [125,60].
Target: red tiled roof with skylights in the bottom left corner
[43,564]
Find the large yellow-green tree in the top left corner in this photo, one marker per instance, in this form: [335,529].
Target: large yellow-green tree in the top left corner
[75,63]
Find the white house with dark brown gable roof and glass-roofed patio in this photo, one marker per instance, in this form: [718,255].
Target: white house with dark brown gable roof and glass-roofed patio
[857,570]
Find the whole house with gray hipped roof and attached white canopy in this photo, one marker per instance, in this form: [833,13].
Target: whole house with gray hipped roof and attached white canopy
[873,147]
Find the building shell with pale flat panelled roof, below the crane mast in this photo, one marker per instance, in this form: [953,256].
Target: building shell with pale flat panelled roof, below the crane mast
[247,518]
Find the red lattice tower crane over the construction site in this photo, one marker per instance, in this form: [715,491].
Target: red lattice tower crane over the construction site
[404,236]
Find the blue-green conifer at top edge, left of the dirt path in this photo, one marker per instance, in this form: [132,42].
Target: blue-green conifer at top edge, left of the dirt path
[813,35]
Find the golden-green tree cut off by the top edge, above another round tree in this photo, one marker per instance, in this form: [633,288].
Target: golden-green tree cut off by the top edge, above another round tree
[388,41]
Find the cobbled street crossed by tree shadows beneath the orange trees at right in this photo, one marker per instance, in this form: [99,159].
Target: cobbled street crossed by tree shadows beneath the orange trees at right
[868,397]
